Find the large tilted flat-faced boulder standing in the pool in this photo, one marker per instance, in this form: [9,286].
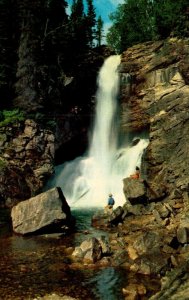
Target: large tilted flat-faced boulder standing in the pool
[47,212]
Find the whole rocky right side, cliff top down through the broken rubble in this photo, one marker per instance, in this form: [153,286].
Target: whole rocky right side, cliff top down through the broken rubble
[154,97]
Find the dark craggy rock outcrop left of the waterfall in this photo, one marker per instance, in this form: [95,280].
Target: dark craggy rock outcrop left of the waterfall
[26,160]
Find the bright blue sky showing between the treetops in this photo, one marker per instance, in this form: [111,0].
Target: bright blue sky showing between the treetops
[104,8]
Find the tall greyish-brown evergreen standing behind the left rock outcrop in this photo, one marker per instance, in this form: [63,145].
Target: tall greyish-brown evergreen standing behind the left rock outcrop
[27,86]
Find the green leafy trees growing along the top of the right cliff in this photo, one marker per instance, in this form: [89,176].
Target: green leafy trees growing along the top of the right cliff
[147,20]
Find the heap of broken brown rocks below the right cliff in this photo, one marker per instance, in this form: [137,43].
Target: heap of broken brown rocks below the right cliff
[150,238]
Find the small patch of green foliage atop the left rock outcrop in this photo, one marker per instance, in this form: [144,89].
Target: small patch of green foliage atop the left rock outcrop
[11,116]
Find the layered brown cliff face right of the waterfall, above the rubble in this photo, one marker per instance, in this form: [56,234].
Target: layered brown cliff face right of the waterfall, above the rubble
[155,97]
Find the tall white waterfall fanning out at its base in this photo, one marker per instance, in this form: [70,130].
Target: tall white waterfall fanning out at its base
[87,181]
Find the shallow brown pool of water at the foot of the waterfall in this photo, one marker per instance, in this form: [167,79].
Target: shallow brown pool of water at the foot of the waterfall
[38,265]
